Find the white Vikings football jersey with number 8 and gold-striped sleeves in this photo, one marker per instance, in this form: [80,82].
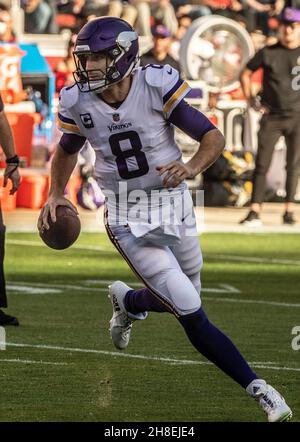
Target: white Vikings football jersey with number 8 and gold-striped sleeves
[132,140]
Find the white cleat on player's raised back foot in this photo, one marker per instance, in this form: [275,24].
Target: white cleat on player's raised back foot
[120,324]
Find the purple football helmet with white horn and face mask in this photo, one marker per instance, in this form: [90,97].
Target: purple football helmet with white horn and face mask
[113,39]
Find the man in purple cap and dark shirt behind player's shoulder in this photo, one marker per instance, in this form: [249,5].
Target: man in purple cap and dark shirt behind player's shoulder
[159,54]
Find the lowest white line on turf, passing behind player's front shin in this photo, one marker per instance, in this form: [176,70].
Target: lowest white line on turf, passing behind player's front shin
[143,357]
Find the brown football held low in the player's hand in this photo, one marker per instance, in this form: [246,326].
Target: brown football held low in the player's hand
[64,232]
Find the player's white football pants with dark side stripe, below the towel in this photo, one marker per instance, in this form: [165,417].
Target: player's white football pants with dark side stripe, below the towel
[172,273]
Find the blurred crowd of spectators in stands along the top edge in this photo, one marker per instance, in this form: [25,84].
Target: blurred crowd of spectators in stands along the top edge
[52,16]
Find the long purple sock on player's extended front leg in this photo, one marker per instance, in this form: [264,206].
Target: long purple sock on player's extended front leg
[217,347]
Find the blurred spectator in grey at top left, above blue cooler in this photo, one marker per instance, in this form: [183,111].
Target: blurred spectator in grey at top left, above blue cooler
[39,17]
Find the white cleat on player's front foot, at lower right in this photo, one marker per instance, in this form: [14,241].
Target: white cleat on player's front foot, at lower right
[270,400]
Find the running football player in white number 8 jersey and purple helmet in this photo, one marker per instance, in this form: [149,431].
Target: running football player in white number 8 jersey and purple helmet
[128,113]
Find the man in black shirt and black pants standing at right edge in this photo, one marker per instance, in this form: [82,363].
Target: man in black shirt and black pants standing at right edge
[281,107]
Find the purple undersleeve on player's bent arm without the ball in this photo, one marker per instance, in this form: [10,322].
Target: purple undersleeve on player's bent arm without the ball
[190,120]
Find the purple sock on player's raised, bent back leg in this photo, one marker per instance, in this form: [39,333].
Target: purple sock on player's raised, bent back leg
[139,301]
